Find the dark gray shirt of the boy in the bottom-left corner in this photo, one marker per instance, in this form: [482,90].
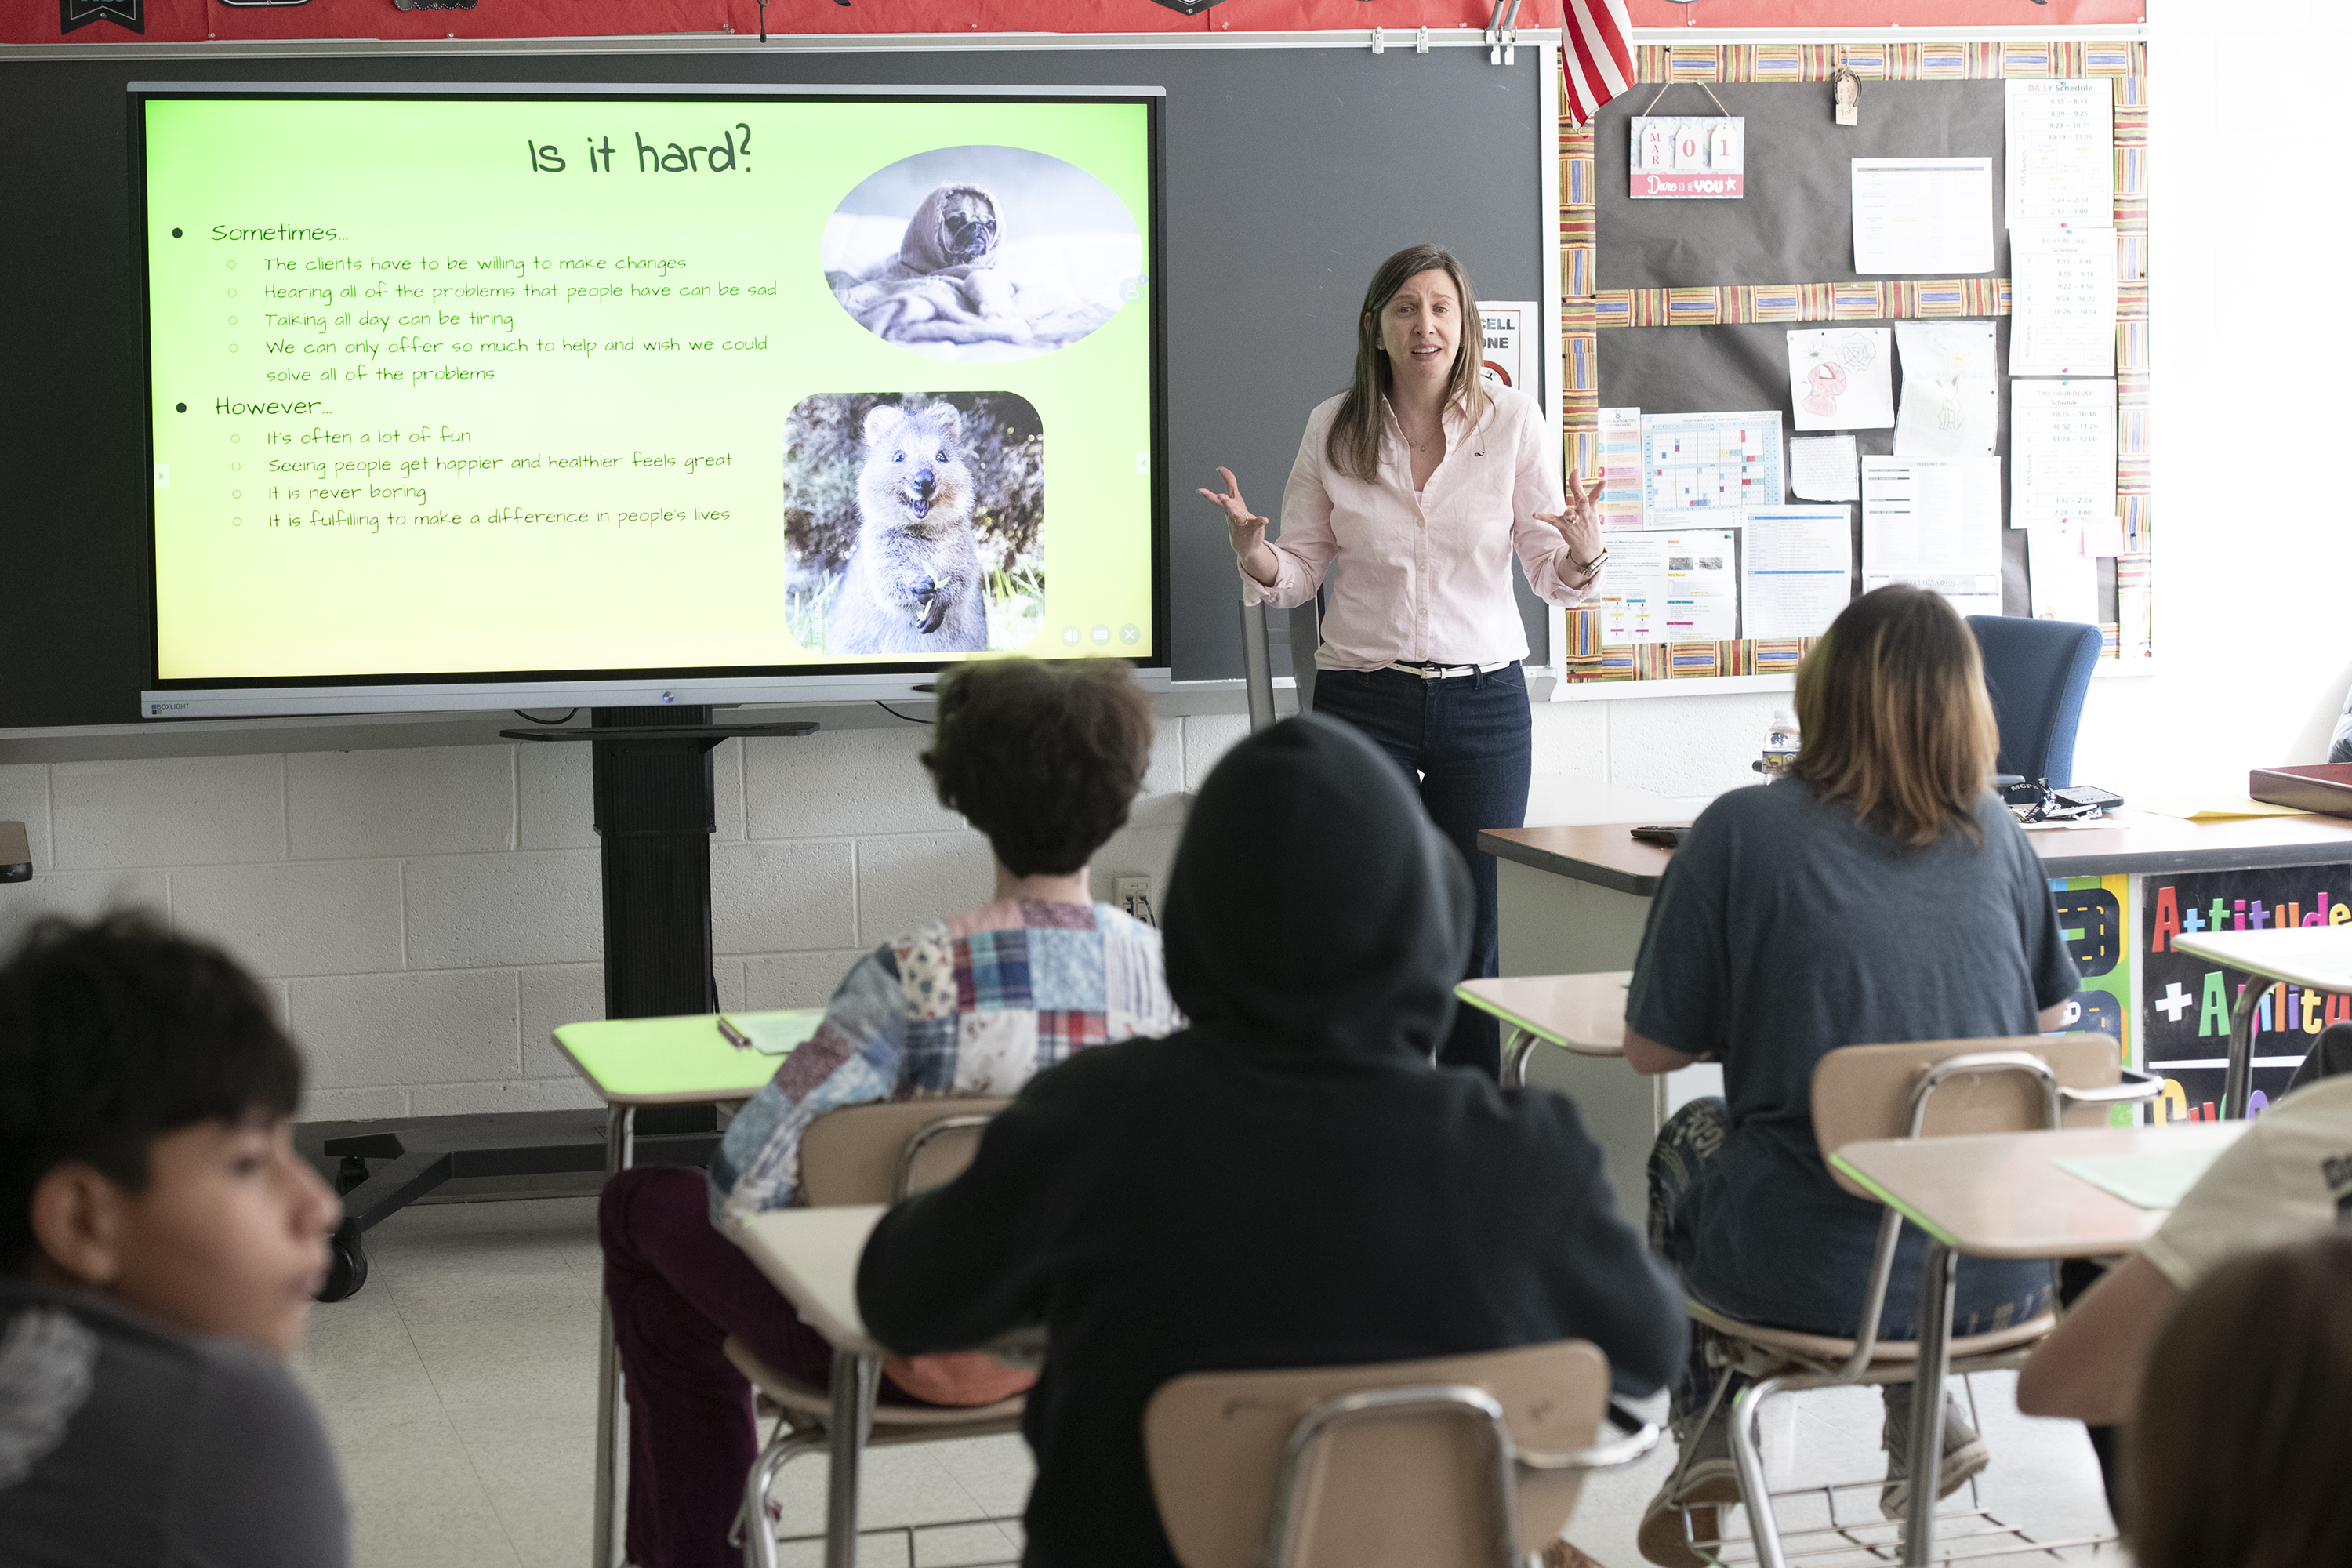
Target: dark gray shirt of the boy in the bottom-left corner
[128,1445]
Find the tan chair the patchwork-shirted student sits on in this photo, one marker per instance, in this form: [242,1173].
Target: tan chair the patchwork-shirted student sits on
[867,1155]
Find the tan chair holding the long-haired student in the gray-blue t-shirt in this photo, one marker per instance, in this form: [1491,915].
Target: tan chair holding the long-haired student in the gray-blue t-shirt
[1927,1090]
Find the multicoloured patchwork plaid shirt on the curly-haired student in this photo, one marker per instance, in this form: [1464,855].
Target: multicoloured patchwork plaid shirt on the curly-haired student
[963,1007]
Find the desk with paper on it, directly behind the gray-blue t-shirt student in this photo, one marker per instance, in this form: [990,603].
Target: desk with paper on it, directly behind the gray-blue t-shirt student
[2000,1198]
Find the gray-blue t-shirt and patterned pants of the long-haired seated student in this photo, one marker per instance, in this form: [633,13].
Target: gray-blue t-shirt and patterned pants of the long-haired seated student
[1782,932]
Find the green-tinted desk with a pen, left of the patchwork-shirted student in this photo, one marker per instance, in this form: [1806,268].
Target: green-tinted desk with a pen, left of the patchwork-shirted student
[629,1064]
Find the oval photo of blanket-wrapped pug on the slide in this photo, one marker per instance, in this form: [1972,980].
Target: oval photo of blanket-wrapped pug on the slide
[982,255]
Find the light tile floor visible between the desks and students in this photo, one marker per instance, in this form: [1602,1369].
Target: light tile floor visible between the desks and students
[460,1388]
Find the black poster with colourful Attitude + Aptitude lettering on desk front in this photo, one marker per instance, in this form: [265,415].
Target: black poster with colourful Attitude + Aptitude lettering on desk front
[2186,1003]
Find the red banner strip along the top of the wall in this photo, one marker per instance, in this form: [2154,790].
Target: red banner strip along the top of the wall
[208,20]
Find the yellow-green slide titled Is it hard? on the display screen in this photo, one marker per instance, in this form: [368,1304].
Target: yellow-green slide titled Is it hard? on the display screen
[490,384]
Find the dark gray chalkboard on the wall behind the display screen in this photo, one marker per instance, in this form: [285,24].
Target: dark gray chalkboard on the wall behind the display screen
[1288,177]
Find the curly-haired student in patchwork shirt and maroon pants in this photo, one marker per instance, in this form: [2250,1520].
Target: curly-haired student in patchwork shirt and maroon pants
[1045,760]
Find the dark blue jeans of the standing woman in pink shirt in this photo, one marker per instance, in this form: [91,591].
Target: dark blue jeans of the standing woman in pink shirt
[1466,746]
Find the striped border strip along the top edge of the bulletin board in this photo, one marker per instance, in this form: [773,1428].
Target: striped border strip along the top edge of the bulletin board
[1885,62]
